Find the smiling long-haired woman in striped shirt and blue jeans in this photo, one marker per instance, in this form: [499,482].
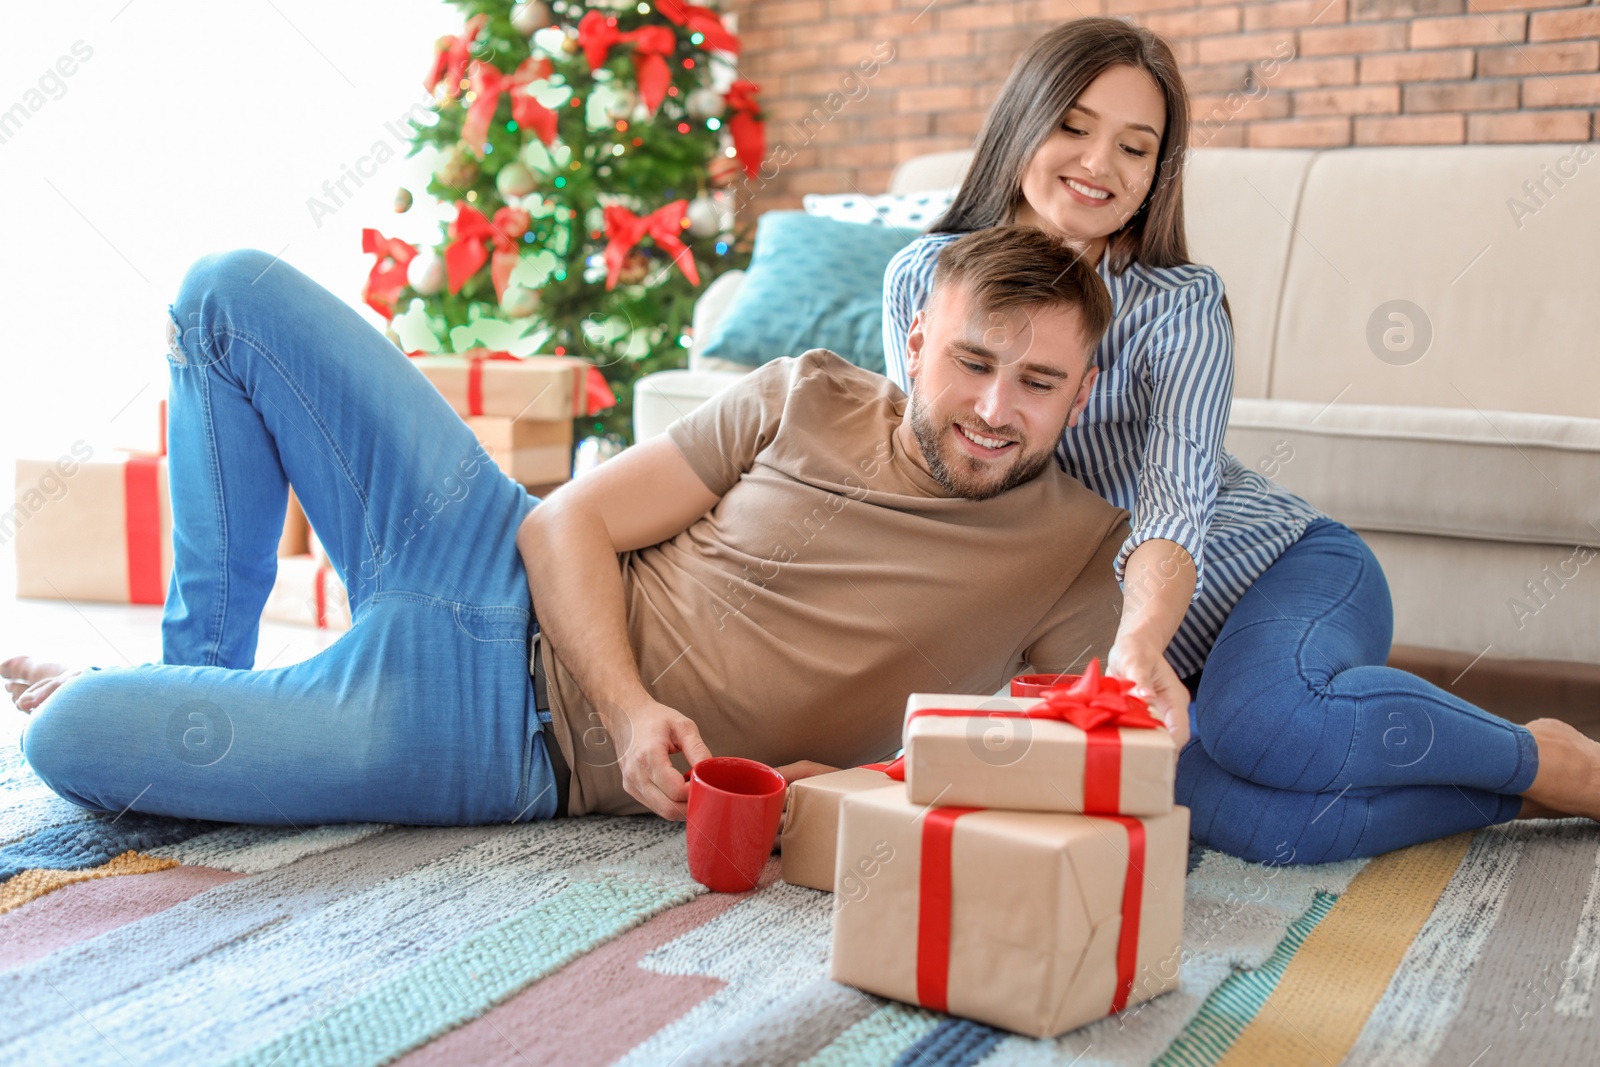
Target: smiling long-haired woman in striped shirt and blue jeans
[1306,748]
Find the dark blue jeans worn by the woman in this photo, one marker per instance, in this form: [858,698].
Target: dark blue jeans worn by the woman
[1310,749]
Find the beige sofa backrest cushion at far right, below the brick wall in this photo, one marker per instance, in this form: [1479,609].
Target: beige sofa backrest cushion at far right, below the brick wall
[1494,250]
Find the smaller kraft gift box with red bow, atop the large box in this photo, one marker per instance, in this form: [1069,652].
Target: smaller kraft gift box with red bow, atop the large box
[1086,748]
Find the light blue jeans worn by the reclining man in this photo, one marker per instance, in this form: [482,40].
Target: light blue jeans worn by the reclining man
[425,711]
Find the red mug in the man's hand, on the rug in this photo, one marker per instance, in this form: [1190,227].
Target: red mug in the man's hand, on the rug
[735,807]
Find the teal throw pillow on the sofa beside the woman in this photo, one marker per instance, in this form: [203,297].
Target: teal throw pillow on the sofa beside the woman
[812,284]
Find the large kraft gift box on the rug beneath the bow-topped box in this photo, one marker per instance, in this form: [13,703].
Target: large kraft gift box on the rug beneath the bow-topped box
[1026,921]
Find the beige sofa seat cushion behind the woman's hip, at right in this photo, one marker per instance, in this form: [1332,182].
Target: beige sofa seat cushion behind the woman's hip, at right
[1489,476]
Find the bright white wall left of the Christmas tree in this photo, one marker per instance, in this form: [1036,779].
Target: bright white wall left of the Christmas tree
[191,129]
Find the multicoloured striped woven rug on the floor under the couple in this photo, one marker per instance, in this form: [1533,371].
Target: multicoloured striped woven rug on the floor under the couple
[142,940]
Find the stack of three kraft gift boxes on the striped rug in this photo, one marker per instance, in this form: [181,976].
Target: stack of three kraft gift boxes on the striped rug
[1023,865]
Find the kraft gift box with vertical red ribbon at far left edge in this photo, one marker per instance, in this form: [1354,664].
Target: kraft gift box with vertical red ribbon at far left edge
[98,530]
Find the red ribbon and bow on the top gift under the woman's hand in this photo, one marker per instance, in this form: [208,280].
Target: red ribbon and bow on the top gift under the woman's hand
[1102,708]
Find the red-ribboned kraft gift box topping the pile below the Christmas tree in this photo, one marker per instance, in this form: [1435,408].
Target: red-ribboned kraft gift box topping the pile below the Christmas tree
[538,388]
